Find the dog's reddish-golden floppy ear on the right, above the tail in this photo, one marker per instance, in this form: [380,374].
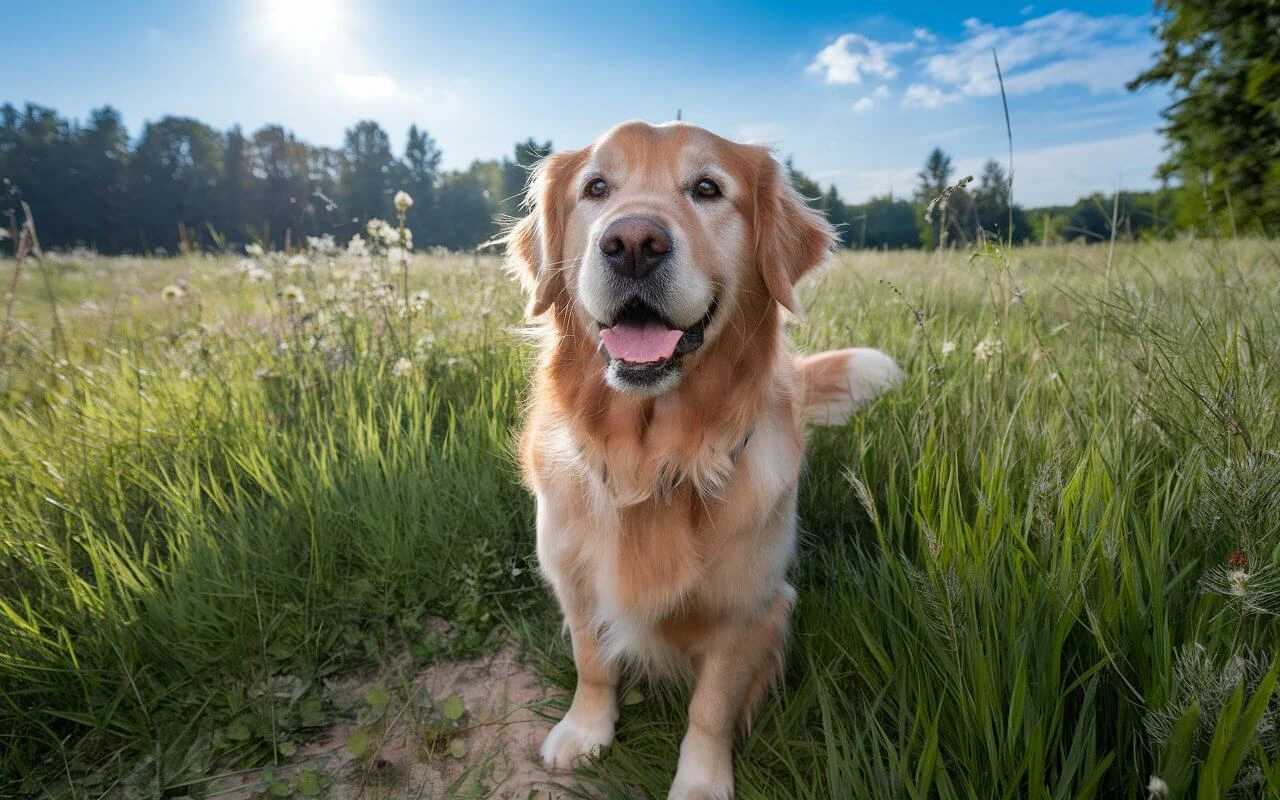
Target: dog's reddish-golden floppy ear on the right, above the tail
[790,237]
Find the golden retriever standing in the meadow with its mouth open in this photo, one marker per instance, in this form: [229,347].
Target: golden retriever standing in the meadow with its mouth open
[665,435]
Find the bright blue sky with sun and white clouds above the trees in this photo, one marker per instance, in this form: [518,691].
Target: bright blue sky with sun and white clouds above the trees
[856,93]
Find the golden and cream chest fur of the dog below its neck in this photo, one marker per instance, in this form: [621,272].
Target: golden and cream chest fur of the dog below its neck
[665,532]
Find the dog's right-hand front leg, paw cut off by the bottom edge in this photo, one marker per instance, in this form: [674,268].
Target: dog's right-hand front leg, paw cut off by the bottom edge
[730,676]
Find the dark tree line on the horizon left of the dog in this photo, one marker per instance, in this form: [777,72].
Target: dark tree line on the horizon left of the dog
[186,186]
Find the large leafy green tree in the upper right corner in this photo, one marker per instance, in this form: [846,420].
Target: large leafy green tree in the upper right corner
[1222,58]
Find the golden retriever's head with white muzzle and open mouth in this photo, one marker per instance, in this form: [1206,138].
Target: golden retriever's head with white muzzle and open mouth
[656,240]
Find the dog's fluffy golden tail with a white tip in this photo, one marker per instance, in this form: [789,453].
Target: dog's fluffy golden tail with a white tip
[840,382]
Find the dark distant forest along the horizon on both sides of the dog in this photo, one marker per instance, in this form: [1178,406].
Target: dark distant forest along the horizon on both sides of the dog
[185,186]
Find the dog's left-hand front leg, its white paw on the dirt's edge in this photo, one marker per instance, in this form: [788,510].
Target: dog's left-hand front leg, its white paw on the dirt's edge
[588,728]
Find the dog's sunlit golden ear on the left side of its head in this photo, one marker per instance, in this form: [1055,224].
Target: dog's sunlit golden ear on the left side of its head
[536,250]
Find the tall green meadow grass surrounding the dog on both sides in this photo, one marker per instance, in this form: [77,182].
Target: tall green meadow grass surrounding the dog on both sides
[1014,577]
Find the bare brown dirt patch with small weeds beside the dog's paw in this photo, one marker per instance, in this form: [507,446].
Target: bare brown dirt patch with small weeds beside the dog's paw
[455,729]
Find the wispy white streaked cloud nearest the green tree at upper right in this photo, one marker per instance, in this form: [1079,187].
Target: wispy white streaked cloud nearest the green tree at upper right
[1055,51]
